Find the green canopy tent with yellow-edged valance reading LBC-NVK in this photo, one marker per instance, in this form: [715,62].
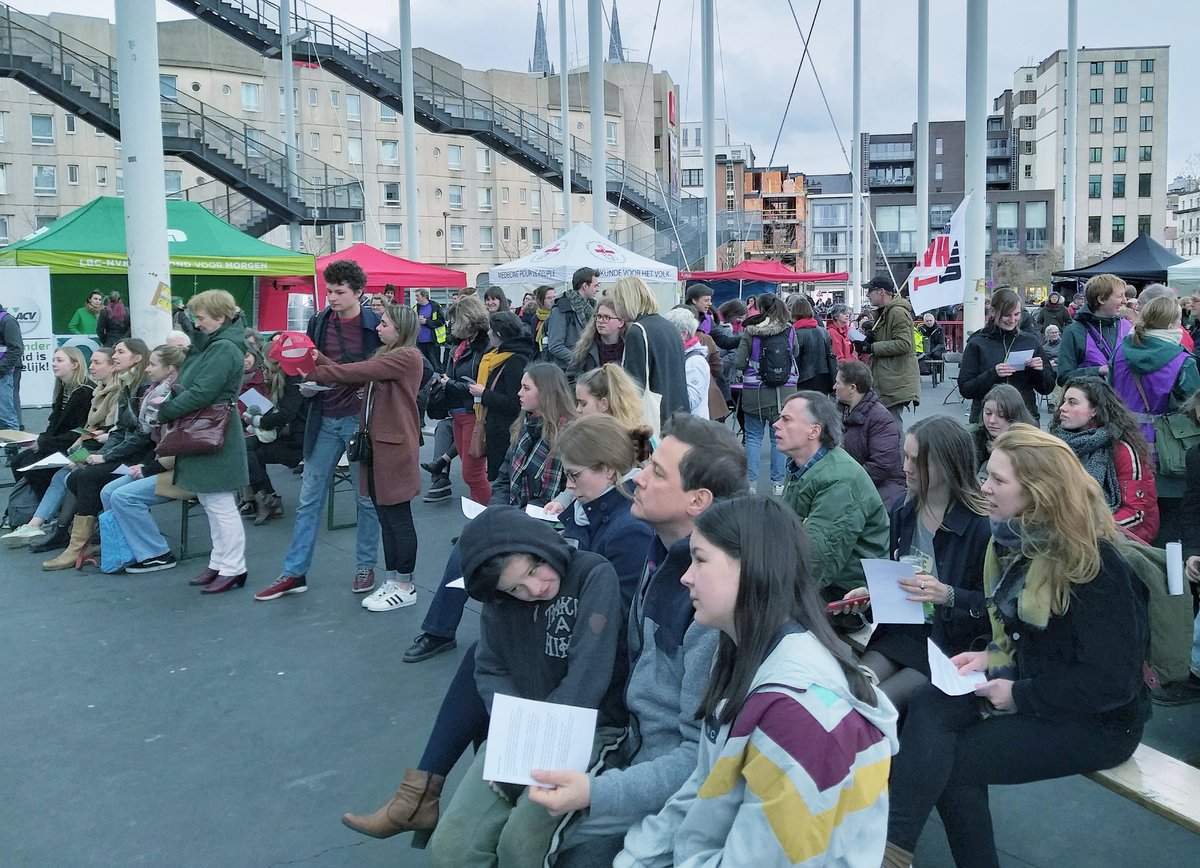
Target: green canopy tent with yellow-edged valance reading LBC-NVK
[86,252]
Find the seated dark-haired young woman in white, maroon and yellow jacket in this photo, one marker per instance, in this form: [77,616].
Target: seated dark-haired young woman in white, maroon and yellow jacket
[796,746]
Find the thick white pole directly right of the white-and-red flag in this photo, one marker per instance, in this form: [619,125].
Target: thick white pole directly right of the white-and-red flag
[976,167]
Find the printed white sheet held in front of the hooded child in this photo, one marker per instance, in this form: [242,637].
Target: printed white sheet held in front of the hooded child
[525,735]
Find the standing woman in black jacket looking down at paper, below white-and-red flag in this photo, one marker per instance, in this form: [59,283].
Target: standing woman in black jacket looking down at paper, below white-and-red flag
[1003,354]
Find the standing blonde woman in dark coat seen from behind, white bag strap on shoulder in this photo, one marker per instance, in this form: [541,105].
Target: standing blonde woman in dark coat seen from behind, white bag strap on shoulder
[653,348]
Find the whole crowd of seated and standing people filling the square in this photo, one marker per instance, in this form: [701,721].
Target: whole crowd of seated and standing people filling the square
[706,625]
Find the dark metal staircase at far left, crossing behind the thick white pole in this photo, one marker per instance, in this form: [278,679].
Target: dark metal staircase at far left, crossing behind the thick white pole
[82,80]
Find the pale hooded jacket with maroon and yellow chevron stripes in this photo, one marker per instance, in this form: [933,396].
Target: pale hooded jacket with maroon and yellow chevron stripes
[800,777]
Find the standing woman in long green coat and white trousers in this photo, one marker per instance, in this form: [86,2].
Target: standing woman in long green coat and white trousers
[213,376]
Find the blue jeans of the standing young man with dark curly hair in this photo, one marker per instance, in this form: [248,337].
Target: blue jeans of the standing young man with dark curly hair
[319,468]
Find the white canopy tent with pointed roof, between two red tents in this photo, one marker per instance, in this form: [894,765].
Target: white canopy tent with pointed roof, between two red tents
[585,248]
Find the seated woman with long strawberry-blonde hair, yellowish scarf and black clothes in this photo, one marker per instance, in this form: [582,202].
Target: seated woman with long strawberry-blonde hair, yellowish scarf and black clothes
[1065,692]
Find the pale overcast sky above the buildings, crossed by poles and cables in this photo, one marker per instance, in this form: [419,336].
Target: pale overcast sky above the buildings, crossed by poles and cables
[760,49]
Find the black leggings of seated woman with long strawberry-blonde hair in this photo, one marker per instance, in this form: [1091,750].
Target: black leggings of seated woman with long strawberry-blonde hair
[949,757]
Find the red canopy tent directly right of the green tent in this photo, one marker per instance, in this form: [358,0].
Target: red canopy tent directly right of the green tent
[382,270]
